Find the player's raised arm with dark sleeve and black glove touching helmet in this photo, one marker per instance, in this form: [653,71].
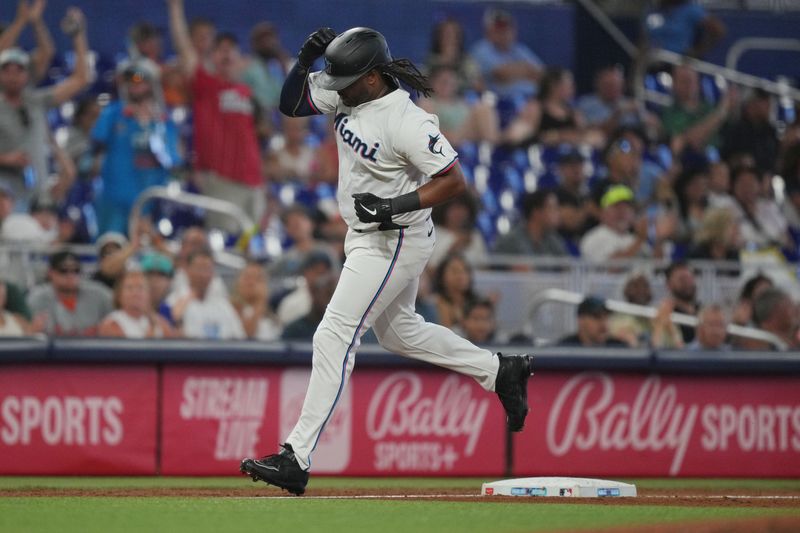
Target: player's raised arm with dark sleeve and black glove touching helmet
[297,99]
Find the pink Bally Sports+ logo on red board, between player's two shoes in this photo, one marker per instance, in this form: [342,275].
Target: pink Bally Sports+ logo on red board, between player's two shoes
[411,428]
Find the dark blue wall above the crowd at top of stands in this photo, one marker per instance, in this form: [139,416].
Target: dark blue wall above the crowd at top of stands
[548,30]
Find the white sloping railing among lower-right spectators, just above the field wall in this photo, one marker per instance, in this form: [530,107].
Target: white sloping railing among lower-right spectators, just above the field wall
[627,308]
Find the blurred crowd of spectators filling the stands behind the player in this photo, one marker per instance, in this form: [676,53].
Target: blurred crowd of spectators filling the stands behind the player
[615,179]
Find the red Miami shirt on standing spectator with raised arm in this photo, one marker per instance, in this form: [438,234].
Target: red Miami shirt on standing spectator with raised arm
[225,138]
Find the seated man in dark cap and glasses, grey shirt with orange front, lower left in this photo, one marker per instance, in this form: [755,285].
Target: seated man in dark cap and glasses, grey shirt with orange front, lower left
[68,305]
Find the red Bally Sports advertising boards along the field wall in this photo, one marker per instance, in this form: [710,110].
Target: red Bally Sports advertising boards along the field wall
[201,420]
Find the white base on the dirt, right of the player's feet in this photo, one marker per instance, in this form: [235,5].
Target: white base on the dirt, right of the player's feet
[570,487]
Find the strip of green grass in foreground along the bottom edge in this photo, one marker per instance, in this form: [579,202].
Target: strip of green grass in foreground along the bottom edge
[200,515]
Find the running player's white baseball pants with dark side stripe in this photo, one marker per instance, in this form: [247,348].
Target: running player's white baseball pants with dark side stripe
[378,289]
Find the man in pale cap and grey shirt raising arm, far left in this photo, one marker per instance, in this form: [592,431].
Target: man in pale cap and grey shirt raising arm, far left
[24,134]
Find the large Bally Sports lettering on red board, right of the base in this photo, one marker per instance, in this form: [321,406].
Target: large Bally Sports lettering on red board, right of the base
[587,416]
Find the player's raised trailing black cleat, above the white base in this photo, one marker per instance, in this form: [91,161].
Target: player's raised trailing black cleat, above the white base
[511,387]
